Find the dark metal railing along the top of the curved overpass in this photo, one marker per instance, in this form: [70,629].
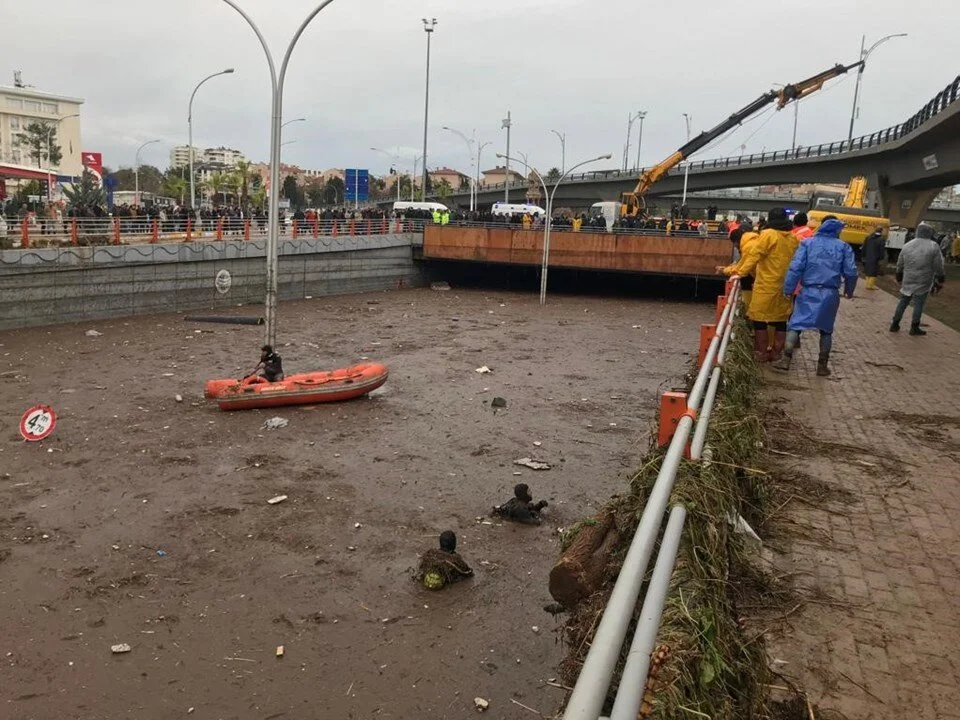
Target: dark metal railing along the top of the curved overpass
[938,104]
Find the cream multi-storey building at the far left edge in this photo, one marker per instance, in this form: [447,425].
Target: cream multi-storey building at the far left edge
[20,106]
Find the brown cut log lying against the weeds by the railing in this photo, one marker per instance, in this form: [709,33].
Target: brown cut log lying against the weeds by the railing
[582,569]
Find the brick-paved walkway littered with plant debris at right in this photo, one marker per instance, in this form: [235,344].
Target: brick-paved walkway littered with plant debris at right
[881,554]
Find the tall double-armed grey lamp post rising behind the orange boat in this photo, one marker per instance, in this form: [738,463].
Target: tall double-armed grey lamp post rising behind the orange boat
[273,218]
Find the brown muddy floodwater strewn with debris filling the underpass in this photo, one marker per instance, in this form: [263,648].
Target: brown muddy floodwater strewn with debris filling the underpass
[145,521]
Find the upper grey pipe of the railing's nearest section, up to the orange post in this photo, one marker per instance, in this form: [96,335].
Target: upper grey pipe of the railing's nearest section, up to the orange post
[590,691]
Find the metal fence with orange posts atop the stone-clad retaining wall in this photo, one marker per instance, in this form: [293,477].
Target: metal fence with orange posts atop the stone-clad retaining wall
[27,233]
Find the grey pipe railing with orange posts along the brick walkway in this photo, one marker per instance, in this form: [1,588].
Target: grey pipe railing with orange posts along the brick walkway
[680,415]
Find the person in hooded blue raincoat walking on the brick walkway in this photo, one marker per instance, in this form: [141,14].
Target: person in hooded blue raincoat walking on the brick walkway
[820,265]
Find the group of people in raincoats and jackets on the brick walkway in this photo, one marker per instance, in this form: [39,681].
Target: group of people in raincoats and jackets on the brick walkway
[792,279]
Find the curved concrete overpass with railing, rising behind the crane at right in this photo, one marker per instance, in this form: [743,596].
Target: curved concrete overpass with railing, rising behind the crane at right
[908,164]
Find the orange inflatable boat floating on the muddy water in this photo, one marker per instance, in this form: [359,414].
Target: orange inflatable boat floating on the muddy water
[307,389]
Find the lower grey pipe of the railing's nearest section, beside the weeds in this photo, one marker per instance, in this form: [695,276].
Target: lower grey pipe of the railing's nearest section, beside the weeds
[633,680]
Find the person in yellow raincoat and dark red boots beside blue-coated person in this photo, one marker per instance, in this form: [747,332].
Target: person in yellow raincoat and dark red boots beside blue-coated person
[768,259]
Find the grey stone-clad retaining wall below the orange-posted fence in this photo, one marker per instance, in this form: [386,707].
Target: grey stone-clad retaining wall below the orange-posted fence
[55,285]
